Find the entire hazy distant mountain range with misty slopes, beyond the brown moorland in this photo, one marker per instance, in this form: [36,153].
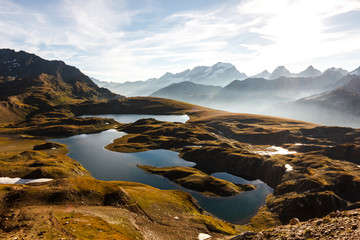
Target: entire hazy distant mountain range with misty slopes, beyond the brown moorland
[309,95]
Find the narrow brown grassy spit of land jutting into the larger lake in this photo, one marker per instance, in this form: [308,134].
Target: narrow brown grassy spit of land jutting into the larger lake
[197,180]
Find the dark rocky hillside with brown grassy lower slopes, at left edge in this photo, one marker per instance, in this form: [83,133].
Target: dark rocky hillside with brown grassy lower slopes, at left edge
[28,82]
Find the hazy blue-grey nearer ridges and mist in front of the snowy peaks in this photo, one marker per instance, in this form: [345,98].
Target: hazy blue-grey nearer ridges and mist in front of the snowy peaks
[284,96]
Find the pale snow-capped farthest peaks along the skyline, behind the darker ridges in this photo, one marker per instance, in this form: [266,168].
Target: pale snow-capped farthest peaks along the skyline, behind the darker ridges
[220,74]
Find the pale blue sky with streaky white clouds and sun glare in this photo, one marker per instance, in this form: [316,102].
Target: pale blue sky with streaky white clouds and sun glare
[128,40]
